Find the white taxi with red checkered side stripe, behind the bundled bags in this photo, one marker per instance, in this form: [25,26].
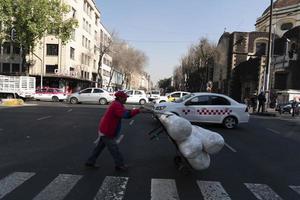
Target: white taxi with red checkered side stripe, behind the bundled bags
[207,108]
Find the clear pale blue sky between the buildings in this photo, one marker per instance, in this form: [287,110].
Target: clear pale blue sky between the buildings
[165,29]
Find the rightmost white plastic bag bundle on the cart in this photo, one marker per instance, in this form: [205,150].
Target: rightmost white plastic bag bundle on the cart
[212,141]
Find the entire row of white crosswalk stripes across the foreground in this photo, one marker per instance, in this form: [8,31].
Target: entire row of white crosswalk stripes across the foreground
[114,188]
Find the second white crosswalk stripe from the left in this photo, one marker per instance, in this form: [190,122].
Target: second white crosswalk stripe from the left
[59,187]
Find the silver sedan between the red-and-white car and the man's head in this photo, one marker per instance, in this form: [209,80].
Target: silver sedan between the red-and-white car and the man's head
[91,95]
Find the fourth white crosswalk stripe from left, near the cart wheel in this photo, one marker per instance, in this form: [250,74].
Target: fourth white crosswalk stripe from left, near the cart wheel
[162,189]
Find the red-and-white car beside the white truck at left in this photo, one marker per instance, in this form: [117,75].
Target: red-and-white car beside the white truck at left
[50,94]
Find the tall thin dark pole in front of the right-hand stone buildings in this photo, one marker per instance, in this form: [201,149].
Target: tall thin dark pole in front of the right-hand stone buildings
[269,58]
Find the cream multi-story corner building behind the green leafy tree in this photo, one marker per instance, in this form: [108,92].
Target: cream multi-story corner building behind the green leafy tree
[70,66]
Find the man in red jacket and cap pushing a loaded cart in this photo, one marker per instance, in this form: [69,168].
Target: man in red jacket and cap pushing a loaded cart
[108,130]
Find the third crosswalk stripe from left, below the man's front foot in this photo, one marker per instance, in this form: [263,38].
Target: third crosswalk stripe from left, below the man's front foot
[112,188]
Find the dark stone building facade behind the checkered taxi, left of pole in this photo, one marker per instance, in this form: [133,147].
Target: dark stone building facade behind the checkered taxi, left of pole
[240,64]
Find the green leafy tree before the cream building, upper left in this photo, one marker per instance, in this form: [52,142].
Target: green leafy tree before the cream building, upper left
[32,20]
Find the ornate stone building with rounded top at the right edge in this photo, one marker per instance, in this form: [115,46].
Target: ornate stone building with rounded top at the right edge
[285,62]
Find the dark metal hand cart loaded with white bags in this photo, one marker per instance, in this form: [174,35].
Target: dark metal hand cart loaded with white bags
[180,161]
